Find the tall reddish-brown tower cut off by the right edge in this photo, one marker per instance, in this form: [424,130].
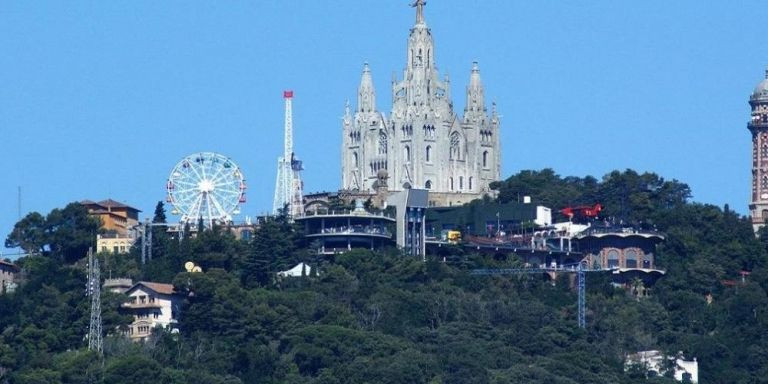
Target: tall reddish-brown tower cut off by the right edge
[758,126]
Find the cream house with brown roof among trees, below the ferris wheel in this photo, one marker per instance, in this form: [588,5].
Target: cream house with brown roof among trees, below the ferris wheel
[152,305]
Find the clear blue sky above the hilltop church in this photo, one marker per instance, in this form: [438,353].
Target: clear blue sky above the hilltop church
[100,99]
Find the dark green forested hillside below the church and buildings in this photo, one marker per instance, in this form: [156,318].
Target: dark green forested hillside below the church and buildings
[381,317]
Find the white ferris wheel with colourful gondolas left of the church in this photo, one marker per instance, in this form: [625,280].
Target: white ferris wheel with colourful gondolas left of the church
[206,186]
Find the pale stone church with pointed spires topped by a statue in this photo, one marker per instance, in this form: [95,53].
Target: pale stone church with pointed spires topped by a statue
[423,143]
